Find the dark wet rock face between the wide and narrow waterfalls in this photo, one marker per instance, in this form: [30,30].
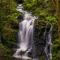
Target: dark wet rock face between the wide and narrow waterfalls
[39,29]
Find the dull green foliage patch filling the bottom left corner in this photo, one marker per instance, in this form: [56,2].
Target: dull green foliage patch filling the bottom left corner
[5,53]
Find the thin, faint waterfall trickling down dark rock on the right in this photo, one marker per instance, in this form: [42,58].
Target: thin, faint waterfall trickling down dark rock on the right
[48,48]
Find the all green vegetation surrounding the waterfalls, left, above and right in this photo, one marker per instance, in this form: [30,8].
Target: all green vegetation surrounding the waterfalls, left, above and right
[45,10]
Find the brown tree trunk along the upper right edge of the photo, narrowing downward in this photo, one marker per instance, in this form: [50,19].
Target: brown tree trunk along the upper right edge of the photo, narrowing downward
[56,4]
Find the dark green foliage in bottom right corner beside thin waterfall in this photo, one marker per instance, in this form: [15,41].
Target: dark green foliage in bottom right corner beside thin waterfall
[56,50]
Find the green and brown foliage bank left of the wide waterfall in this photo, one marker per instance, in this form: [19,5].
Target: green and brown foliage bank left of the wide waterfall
[8,27]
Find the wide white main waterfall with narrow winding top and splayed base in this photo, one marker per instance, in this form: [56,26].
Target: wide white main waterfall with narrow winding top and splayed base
[25,34]
